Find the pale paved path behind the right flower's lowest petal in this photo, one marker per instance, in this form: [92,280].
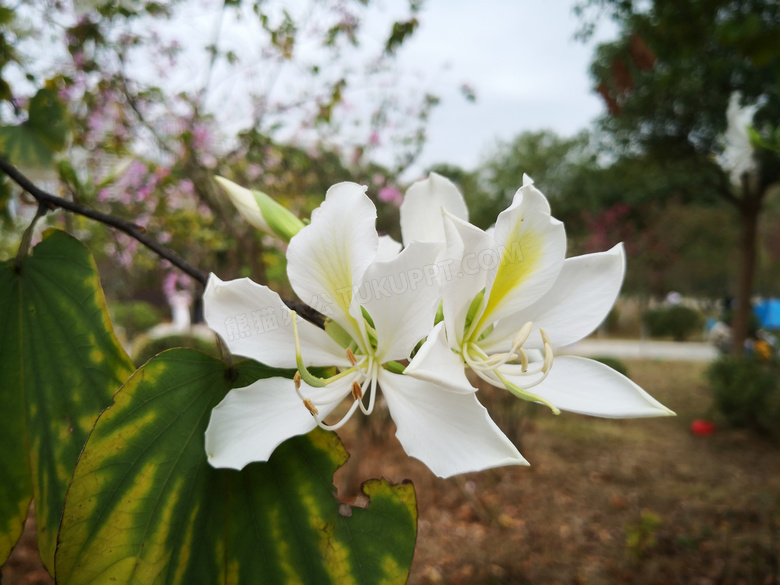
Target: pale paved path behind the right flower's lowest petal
[640,350]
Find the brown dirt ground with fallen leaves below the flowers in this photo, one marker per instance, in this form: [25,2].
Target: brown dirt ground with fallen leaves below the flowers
[638,501]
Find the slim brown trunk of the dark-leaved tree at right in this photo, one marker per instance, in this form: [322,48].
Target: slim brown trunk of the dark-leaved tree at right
[749,210]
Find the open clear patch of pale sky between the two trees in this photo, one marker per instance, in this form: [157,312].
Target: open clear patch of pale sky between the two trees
[520,57]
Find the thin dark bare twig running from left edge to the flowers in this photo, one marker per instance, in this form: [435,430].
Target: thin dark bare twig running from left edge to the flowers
[131,229]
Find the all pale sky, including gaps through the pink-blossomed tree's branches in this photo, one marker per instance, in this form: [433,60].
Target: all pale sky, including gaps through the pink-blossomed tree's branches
[519,56]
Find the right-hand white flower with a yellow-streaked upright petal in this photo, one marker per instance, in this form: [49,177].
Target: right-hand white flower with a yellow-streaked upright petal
[511,296]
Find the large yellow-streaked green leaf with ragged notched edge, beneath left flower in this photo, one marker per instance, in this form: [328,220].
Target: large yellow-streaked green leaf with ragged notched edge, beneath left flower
[146,508]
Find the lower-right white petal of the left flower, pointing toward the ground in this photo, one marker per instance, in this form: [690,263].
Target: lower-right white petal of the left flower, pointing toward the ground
[451,433]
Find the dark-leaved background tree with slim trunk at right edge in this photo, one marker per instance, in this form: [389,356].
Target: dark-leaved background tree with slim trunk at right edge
[667,82]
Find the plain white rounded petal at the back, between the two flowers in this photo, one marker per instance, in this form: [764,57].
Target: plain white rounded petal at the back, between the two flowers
[421,218]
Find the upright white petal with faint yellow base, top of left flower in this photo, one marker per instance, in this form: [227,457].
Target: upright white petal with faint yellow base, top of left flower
[326,259]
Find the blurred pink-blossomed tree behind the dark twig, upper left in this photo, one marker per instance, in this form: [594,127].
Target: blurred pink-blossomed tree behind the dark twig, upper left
[134,107]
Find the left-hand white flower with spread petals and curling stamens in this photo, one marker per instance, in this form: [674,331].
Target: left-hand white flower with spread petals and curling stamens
[378,309]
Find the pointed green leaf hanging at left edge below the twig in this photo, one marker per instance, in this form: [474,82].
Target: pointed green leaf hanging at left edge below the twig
[59,365]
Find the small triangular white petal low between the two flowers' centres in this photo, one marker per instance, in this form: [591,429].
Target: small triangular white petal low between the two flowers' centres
[436,362]
